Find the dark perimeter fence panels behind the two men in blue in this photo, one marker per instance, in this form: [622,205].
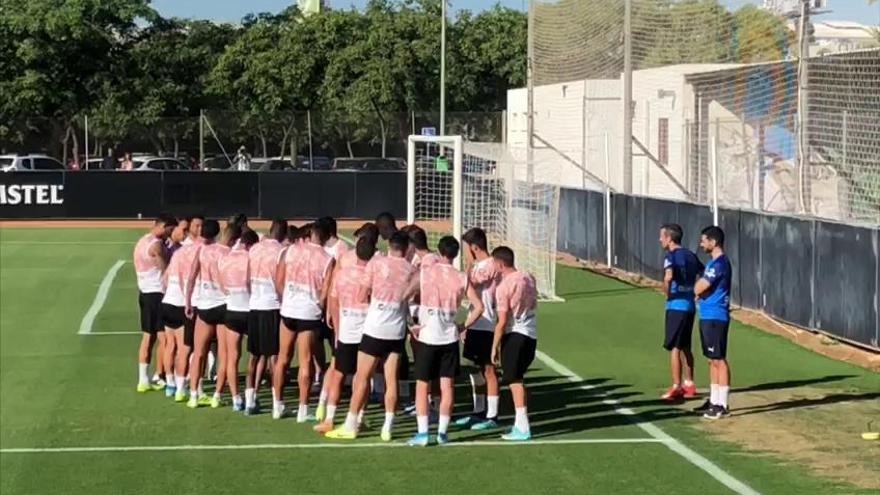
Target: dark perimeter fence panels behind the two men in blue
[814,274]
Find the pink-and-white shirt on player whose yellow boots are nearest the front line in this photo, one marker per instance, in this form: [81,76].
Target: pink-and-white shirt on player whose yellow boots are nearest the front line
[388,278]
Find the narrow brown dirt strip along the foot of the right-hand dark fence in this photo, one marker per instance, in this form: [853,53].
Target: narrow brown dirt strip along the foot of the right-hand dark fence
[816,342]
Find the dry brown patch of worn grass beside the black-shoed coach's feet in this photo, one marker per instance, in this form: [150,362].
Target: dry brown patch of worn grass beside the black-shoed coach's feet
[791,424]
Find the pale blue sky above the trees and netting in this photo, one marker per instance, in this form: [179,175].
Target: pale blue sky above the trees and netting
[234,10]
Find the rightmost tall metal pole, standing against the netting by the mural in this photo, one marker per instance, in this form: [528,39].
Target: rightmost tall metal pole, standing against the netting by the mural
[803,133]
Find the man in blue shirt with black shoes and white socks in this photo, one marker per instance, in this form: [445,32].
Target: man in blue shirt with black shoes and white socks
[713,291]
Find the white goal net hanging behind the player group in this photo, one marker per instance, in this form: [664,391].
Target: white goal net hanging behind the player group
[453,186]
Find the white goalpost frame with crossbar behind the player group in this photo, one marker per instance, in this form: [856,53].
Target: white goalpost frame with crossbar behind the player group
[457,173]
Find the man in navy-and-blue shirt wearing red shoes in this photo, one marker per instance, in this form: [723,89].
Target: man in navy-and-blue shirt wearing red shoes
[681,267]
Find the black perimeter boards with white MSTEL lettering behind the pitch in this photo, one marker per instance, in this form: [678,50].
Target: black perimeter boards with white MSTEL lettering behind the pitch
[105,195]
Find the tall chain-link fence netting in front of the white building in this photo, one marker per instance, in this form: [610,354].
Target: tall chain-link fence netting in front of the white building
[785,122]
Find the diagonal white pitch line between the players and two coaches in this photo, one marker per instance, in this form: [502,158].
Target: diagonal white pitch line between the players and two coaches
[676,446]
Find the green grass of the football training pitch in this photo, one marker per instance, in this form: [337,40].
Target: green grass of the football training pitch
[60,389]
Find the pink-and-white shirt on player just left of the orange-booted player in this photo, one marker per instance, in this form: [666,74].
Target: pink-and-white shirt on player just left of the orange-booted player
[306,266]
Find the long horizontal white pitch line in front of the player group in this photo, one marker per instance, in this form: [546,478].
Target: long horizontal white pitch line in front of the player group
[294,446]
